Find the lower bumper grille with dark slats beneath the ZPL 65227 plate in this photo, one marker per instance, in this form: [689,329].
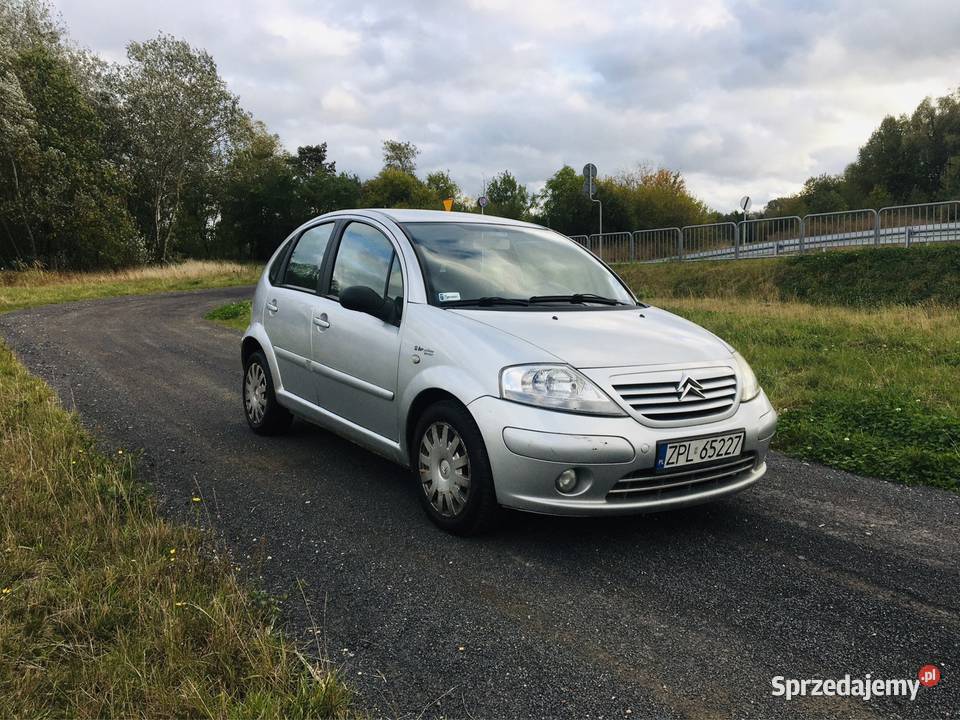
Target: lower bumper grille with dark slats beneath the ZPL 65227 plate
[649,485]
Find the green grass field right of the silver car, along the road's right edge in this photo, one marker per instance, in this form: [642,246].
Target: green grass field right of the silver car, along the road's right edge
[875,392]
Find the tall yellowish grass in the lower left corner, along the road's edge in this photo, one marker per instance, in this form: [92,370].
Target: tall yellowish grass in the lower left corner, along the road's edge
[106,609]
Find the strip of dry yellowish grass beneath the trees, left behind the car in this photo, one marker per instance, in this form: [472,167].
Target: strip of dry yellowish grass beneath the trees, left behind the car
[39,287]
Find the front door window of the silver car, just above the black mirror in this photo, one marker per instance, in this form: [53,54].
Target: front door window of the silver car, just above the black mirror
[365,257]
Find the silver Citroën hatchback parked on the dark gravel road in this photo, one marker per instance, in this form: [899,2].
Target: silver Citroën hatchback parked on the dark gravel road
[503,363]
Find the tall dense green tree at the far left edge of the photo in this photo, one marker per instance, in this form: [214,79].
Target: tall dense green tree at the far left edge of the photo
[62,202]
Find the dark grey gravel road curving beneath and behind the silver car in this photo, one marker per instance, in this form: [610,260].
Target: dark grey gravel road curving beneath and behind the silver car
[688,614]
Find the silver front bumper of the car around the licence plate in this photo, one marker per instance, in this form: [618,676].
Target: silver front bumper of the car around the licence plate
[528,447]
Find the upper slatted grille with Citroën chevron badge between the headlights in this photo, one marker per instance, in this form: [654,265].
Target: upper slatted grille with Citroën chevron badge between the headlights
[657,400]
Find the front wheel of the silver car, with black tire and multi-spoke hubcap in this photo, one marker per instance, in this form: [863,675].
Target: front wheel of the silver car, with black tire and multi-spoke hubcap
[437,459]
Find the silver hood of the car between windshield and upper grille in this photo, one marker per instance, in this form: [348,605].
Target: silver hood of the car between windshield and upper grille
[608,338]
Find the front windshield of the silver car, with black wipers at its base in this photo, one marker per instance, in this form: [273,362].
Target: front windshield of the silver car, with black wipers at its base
[489,265]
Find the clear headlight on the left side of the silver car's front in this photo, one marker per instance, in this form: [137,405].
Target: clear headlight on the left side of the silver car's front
[558,387]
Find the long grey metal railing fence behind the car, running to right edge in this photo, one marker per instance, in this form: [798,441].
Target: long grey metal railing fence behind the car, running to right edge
[904,225]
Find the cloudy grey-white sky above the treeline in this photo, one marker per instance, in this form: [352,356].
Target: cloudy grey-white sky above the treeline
[742,97]
